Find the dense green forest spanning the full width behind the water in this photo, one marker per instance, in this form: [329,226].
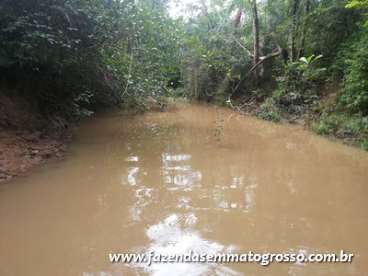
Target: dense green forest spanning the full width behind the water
[281,59]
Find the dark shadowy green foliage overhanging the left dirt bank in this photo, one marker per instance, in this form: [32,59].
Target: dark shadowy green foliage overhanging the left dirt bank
[56,46]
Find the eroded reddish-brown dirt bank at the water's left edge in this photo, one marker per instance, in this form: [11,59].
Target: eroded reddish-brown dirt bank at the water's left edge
[27,139]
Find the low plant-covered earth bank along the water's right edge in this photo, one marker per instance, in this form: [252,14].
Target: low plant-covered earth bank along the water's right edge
[320,118]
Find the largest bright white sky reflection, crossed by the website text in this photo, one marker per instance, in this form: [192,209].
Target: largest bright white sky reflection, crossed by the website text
[176,235]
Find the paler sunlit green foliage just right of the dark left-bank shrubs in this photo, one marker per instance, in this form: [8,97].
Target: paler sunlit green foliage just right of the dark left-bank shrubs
[149,57]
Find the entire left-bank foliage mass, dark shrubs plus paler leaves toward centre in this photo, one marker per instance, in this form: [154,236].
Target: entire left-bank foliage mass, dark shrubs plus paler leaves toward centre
[80,53]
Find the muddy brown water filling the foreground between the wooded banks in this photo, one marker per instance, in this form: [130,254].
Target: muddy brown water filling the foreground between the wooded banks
[198,178]
